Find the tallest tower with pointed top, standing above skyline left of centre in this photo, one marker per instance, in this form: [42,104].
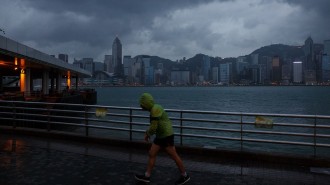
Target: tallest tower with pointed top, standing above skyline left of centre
[117,58]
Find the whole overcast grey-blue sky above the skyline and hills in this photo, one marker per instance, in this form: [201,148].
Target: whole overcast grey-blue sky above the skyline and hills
[171,29]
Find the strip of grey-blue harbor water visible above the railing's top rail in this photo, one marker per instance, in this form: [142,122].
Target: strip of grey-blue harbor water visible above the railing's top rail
[255,99]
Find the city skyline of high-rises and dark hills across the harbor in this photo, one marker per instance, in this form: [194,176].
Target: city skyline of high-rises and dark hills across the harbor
[275,64]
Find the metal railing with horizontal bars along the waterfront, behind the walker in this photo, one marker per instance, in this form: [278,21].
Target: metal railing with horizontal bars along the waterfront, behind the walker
[279,133]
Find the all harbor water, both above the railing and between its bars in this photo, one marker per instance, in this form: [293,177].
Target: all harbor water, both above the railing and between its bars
[302,100]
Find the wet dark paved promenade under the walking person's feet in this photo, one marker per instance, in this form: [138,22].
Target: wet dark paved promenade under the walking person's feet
[40,160]
